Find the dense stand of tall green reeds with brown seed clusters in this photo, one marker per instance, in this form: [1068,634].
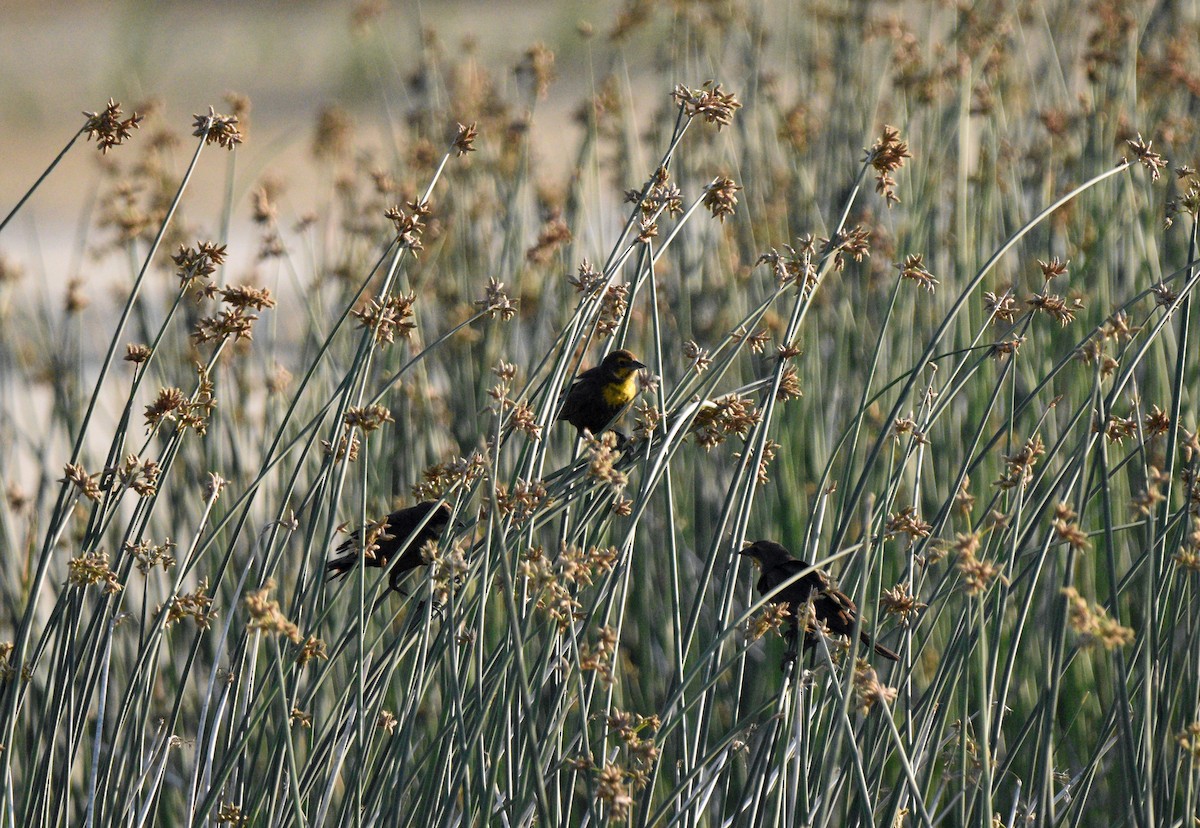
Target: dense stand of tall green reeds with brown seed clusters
[995,449]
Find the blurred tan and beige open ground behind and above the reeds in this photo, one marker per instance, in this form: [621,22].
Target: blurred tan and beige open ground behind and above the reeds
[290,59]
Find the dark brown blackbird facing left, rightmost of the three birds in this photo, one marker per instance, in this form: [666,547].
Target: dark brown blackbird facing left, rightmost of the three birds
[832,607]
